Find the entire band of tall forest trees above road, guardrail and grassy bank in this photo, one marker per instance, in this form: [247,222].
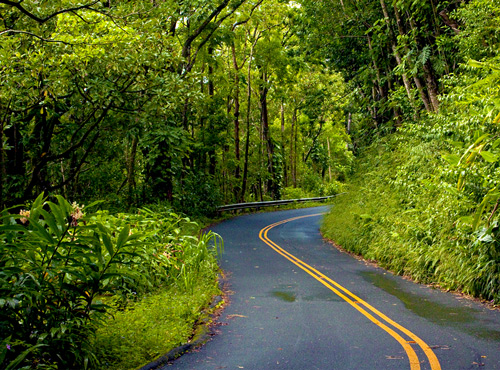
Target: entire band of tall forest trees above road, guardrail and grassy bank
[200,103]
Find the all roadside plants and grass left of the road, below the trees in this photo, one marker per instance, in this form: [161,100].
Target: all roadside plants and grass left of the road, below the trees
[94,290]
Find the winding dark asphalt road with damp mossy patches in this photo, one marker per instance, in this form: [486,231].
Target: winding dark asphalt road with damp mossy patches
[299,303]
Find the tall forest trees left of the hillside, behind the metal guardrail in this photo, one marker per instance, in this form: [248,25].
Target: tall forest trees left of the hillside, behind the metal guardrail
[192,102]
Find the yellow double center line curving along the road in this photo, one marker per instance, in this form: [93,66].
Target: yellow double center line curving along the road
[374,315]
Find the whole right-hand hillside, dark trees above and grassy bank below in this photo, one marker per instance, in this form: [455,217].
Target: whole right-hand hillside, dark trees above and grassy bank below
[424,197]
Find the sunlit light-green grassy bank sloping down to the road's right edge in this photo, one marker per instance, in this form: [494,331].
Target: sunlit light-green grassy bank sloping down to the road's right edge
[403,210]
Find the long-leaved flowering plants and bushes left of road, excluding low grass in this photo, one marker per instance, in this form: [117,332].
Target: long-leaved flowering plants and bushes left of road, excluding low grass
[58,264]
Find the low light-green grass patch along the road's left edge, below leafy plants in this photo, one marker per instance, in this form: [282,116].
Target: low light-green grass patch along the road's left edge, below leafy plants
[153,326]
